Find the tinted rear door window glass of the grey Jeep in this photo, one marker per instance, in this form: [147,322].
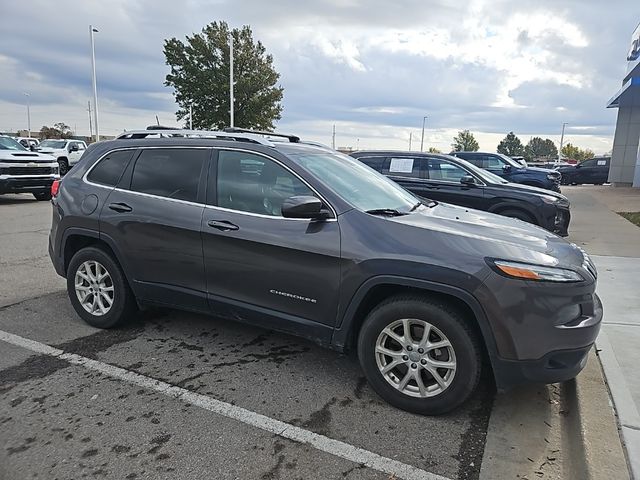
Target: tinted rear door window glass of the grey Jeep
[169,172]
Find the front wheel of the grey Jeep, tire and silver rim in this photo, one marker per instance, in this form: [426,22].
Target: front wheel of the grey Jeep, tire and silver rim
[419,355]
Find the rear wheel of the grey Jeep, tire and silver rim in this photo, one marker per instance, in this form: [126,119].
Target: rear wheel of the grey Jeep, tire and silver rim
[98,289]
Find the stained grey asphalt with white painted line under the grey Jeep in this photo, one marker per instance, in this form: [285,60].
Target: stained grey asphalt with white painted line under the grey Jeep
[196,408]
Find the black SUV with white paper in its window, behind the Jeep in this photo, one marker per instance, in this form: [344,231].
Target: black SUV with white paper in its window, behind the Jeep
[448,179]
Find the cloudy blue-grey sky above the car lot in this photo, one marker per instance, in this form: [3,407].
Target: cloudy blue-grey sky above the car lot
[372,68]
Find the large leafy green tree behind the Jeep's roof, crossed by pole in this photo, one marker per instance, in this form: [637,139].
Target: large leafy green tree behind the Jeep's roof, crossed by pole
[199,75]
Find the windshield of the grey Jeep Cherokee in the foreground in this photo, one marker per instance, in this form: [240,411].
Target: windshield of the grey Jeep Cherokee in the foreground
[361,186]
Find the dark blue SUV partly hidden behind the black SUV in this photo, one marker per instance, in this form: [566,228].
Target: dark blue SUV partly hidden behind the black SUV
[513,171]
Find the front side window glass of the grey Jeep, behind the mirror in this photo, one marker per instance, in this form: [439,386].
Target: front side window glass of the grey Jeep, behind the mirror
[254,184]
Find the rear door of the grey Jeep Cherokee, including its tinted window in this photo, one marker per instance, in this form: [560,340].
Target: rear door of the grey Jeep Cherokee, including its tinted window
[153,218]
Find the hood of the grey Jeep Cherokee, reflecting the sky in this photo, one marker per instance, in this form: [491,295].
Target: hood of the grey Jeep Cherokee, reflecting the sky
[493,235]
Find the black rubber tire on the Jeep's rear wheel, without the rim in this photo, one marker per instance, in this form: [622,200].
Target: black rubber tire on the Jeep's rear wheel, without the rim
[124,304]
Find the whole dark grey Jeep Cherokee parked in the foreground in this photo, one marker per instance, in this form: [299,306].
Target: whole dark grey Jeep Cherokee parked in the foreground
[302,239]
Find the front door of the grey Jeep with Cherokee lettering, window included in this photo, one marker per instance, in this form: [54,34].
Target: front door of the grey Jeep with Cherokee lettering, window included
[259,265]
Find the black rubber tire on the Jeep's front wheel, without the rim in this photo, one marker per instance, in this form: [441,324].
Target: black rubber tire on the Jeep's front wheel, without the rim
[448,321]
